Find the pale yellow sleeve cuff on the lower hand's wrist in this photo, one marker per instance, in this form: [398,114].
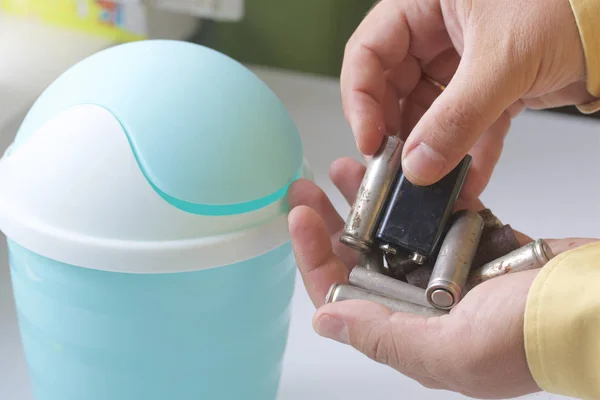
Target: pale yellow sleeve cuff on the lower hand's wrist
[562,324]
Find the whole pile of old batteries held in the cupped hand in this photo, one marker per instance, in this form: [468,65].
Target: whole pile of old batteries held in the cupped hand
[416,254]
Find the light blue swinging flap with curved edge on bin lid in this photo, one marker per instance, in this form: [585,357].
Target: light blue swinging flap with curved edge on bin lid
[209,136]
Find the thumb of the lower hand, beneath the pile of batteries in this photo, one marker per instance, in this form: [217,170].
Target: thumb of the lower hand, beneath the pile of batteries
[399,340]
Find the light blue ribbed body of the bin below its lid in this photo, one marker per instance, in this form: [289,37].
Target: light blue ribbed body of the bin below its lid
[211,334]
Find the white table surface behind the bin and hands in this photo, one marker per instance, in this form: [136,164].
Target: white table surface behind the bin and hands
[545,185]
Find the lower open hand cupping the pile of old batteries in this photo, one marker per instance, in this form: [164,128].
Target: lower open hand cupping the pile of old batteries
[477,350]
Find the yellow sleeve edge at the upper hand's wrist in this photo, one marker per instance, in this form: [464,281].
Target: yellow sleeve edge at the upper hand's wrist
[587,15]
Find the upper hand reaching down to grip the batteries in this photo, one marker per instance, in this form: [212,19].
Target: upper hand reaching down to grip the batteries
[495,57]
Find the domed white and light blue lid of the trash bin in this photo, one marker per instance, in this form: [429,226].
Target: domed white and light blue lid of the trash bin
[152,156]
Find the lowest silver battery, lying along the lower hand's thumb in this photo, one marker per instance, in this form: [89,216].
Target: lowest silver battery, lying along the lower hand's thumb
[339,292]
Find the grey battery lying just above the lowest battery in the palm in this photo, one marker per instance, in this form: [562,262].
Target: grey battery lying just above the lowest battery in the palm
[387,286]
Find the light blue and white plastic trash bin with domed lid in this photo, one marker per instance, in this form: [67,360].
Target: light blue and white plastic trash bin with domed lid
[144,201]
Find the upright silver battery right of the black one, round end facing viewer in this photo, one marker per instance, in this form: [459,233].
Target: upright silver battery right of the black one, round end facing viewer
[453,263]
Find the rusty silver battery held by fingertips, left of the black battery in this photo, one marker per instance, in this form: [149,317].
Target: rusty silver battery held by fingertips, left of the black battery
[362,220]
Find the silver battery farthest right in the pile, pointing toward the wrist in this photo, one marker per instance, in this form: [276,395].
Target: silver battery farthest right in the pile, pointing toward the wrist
[531,256]
